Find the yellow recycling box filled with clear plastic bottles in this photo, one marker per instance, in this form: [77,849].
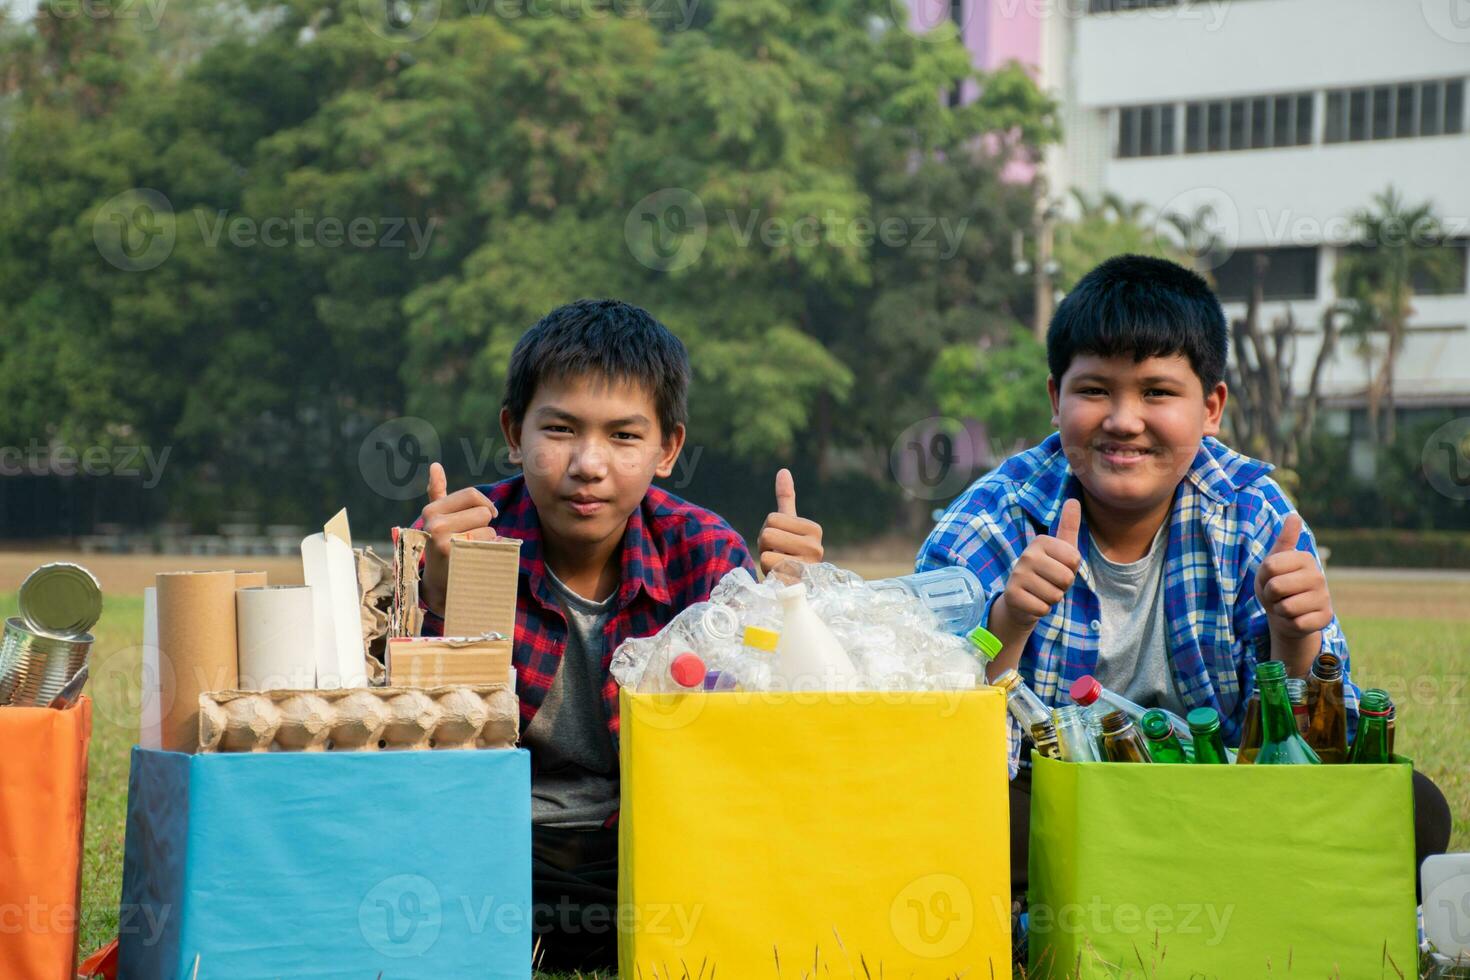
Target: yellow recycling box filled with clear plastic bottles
[822,835]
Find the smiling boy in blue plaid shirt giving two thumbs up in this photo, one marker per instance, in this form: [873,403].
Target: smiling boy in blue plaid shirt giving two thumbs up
[1131,544]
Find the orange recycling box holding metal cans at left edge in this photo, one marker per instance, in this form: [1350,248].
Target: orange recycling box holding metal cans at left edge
[43,804]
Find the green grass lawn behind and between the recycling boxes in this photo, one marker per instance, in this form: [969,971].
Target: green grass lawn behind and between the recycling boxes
[1419,652]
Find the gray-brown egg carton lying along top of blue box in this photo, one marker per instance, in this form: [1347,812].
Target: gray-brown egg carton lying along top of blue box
[359,719]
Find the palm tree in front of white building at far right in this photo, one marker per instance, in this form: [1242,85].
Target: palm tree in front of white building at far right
[1399,246]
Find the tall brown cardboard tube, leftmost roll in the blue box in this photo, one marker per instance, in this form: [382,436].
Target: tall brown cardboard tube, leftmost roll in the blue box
[196,647]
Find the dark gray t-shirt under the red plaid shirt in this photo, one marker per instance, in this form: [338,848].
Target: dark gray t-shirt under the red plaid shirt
[574,762]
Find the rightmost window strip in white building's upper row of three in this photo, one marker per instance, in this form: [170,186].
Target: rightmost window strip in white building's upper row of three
[1396,112]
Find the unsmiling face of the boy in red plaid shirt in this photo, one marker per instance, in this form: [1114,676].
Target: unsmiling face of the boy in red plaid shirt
[590,447]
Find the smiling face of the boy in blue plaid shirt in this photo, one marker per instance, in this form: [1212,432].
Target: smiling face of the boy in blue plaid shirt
[1133,430]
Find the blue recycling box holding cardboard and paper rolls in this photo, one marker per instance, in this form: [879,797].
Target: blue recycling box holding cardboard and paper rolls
[327,865]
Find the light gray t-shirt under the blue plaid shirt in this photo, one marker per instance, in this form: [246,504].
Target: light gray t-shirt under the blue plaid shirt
[1134,637]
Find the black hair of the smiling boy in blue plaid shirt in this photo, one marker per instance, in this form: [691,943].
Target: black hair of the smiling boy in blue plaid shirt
[1144,308]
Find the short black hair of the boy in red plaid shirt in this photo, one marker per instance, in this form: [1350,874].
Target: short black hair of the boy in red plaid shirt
[602,337]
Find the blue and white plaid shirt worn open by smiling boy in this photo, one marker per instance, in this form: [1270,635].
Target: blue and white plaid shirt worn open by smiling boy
[1227,514]
